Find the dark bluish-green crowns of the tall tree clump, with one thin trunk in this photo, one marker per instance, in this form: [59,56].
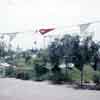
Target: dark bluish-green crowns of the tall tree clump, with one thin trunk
[71,49]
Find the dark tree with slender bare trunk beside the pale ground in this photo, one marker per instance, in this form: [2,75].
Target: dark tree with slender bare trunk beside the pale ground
[81,54]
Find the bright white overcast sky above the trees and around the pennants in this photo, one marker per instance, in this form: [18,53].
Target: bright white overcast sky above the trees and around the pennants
[23,15]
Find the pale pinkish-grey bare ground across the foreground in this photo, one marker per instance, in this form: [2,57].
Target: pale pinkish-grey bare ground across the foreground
[15,89]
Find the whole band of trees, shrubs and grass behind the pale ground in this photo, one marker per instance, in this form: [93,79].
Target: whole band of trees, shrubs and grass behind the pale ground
[70,49]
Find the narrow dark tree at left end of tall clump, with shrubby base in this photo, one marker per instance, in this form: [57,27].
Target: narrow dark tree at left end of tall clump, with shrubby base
[55,57]
